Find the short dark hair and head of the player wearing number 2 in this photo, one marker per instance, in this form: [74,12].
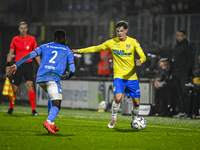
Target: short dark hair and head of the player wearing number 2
[59,36]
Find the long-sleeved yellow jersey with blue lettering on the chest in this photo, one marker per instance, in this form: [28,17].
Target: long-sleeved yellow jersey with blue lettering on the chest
[123,56]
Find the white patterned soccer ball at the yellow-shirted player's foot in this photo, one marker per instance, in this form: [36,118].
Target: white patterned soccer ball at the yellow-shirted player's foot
[139,123]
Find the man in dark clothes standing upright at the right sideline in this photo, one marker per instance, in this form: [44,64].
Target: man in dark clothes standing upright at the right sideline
[183,64]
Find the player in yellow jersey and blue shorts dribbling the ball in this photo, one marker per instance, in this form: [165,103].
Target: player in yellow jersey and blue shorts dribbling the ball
[123,49]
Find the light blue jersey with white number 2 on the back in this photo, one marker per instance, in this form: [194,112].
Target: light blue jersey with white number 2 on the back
[54,58]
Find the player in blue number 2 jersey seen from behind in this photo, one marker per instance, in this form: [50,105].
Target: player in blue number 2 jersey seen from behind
[54,58]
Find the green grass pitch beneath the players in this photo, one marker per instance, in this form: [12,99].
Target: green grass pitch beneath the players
[83,129]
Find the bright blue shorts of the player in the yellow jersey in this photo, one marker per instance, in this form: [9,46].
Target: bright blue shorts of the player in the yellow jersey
[131,87]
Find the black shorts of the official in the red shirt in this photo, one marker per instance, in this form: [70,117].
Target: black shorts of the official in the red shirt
[26,70]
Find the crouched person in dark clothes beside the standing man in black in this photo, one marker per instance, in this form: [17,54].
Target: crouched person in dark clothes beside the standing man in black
[165,90]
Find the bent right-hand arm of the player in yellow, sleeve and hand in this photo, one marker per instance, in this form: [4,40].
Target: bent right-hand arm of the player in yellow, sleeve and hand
[140,52]
